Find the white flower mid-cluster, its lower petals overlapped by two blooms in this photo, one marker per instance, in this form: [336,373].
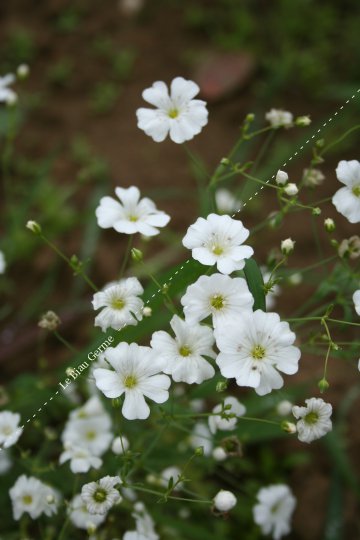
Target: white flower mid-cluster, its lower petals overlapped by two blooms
[221,296]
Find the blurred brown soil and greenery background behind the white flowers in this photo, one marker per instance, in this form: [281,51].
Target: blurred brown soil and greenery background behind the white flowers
[72,138]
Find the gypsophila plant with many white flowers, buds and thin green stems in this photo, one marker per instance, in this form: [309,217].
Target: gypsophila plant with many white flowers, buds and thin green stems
[160,420]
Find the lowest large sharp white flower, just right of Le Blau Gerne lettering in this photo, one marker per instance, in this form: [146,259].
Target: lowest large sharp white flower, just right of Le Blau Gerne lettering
[137,374]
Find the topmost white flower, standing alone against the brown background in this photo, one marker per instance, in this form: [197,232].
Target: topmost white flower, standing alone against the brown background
[178,115]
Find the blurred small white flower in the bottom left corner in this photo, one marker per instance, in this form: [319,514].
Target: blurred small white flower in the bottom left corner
[30,495]
